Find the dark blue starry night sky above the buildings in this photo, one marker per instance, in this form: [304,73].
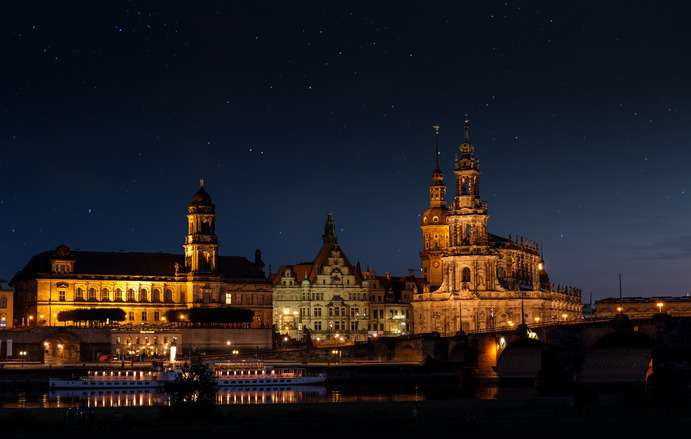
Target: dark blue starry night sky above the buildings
[110,112]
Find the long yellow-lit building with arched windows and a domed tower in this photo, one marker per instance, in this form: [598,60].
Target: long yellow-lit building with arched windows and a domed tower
[145,285]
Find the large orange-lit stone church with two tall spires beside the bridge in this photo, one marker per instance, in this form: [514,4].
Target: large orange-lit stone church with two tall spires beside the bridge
[478,281]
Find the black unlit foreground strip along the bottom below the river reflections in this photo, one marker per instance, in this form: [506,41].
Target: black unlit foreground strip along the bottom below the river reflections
[541,417]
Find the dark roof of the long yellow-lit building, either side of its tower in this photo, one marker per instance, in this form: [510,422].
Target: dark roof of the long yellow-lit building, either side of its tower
[134,264]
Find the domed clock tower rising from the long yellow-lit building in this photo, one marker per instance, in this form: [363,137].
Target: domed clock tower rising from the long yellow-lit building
[201,244]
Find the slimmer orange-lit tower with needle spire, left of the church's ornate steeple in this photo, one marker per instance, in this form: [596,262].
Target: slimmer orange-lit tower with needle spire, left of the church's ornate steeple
[434,227]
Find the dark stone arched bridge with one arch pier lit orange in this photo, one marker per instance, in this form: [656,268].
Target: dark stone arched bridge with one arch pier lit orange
[589,351]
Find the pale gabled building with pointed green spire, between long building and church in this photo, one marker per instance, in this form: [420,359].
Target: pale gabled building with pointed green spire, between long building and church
[333,301]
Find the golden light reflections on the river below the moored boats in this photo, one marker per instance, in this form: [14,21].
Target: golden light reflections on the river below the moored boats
[103,398]
